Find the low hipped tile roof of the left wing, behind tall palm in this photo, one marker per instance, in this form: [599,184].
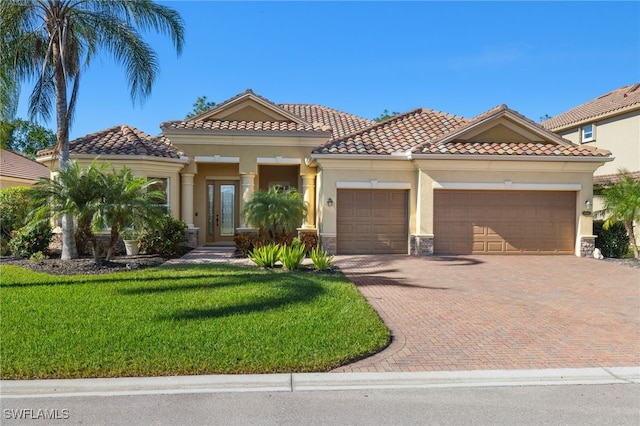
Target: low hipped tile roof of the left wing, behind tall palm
[121,140]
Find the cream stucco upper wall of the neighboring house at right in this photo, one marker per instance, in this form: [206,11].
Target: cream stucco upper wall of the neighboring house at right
[620,135]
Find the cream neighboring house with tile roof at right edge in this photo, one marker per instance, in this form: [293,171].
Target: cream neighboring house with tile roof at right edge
[611,122]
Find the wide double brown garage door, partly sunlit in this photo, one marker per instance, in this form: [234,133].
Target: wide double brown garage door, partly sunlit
[503,222]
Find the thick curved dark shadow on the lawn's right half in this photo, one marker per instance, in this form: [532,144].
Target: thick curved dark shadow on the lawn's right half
[305,291]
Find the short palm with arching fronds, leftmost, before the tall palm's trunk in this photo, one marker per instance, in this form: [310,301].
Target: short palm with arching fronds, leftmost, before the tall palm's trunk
[75,192]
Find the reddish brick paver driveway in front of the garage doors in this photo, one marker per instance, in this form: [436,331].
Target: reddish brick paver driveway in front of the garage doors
[499,312]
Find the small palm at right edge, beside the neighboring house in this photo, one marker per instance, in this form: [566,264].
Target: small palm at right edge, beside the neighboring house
[622,204]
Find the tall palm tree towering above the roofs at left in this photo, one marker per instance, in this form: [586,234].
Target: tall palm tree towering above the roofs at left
[51,41]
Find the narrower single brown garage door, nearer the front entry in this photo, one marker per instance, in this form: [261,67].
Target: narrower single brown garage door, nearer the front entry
[372,221]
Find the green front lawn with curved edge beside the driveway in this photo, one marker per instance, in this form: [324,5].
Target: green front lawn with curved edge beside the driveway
[184,320]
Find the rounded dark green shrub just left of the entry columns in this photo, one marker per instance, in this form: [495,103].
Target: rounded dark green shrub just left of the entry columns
[165,238]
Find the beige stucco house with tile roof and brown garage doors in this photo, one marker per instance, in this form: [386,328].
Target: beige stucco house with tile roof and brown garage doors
[423,182]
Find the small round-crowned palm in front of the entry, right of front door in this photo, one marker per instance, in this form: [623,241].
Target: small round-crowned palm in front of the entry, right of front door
[275,211]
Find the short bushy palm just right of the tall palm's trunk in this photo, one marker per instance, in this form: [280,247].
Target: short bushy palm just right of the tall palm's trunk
[127,202]
